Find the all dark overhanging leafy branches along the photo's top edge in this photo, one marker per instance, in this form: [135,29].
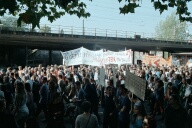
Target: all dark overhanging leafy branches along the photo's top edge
[31,11]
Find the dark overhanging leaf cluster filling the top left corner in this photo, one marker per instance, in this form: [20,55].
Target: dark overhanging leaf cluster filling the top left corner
[31,11]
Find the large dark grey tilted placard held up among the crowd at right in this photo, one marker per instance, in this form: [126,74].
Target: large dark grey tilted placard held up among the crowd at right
[135,84]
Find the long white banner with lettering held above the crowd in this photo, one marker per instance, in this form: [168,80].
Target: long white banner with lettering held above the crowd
[96,58]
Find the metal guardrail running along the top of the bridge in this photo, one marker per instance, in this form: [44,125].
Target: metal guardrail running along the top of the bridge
[84,32]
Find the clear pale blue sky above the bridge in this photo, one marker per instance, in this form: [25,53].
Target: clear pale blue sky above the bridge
[105,16]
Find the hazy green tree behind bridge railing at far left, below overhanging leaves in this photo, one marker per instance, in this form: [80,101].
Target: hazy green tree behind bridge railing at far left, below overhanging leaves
[10,23]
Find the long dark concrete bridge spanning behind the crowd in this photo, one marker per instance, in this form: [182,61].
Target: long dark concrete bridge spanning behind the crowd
[10,40]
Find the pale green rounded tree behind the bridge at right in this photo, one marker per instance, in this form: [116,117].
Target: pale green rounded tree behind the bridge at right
[171,29]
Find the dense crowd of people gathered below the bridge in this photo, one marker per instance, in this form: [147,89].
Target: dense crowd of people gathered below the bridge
[62,92]
